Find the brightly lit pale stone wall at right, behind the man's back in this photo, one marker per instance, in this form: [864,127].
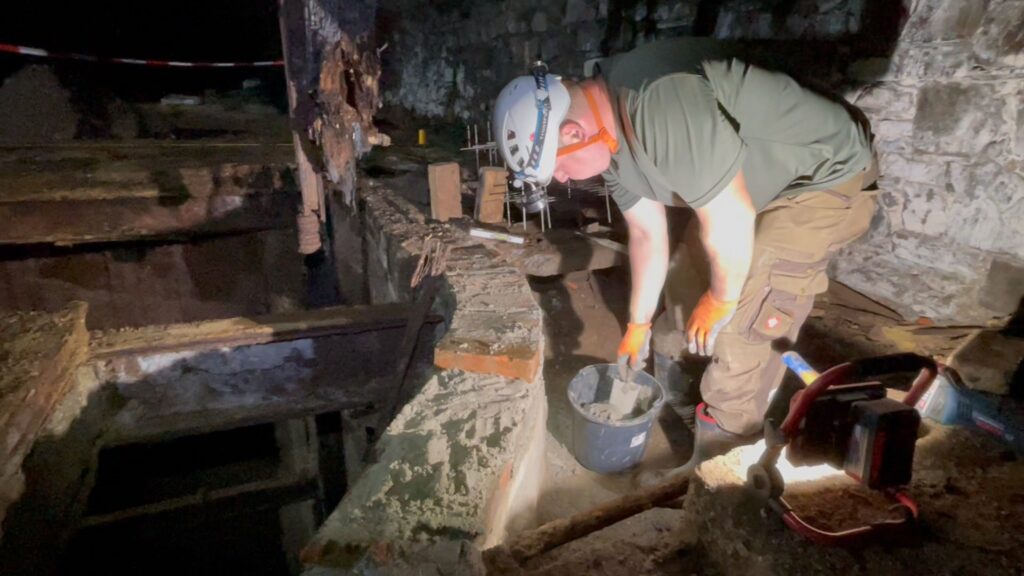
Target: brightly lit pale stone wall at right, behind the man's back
[947,110]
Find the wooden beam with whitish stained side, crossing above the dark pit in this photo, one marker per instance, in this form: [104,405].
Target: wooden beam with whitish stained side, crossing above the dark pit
[176,383]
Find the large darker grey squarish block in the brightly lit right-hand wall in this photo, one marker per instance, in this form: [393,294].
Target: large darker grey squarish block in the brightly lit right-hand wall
[958,118]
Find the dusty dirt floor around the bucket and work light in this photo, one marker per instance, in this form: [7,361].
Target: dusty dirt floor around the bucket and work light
[968,486]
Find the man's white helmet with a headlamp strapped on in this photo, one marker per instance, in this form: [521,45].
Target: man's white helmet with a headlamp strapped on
[528,114]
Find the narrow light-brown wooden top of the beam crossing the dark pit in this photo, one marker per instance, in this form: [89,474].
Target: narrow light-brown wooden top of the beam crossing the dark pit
[249,332]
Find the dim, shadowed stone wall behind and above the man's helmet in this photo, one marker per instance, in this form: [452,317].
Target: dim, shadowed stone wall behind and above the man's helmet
[453,58]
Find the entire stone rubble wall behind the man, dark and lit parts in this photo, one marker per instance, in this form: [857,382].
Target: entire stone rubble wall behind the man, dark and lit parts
[941,81]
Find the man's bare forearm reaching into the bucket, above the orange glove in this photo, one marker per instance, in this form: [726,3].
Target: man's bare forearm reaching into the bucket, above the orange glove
[649,258]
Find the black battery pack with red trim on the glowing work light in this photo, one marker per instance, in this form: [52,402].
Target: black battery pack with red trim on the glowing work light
[880,454]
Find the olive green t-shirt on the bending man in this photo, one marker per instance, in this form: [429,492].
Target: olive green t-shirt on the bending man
[691,117]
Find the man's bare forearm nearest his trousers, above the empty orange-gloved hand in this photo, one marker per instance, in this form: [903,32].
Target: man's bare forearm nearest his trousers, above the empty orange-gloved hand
[728,234]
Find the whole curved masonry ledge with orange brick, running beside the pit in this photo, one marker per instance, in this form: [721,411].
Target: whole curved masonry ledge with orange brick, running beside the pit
[462,465]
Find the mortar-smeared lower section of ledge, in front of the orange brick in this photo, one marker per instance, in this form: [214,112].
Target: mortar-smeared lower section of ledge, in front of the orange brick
[453,467]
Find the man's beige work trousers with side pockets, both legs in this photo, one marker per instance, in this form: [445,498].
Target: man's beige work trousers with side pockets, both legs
[794,241]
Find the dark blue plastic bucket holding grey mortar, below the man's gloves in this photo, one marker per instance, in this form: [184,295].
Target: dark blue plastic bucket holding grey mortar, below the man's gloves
[600,445]
